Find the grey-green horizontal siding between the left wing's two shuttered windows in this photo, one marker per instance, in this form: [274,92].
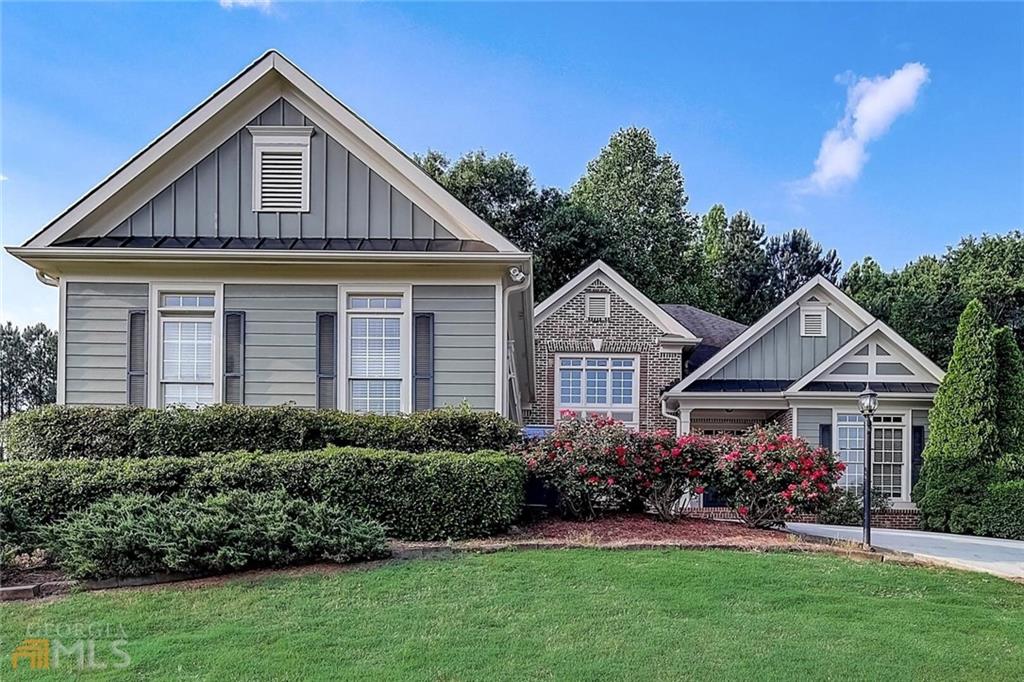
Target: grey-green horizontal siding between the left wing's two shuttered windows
[281,339]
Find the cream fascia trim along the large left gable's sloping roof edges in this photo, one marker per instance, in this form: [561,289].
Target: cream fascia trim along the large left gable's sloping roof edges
[382,155]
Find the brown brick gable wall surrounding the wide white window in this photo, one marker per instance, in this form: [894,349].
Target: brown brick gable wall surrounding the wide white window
[568,330]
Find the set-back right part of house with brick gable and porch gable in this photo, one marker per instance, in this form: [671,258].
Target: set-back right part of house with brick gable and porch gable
[604,348]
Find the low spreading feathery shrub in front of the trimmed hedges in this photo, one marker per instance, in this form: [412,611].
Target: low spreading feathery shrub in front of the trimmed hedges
[129,536]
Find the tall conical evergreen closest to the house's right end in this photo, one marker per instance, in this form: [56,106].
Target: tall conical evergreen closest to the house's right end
[963,443]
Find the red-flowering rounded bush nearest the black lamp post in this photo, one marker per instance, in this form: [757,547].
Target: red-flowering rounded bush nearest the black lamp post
[767,478]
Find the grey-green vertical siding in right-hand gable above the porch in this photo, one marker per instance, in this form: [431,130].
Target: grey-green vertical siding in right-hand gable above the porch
[783,354]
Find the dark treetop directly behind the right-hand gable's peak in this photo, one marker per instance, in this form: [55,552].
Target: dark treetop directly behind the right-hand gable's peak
[795,258]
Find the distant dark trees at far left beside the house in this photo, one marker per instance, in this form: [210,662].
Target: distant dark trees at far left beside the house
[28,367]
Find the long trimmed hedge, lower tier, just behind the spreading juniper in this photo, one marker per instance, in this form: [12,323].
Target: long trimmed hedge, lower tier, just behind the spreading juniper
[426,496]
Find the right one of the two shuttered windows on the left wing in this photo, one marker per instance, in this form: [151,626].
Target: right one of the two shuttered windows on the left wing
[376,342]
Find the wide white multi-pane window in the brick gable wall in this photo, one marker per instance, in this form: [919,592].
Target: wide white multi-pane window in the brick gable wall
[606,386]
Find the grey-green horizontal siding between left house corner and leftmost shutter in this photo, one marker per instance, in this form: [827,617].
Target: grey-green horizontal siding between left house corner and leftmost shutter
[96,329]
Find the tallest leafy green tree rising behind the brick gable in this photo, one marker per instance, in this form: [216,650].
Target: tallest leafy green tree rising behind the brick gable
[639,194]
